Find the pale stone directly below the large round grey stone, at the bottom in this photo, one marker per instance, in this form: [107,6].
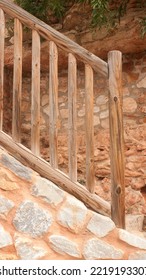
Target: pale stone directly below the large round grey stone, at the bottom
[28,250]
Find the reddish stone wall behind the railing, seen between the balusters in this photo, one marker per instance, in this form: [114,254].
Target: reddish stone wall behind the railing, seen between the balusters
[134,112]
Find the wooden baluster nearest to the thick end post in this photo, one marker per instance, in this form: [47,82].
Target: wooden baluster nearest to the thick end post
[90,176]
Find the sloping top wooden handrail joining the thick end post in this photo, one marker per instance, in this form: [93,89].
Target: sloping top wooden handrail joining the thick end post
[51,34]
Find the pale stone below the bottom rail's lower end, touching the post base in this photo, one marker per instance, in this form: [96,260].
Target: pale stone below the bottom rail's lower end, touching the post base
[100,225]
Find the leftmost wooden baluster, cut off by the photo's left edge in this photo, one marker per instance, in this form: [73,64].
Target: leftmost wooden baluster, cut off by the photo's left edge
[2,40]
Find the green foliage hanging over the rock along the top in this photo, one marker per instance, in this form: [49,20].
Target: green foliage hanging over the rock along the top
[104,12]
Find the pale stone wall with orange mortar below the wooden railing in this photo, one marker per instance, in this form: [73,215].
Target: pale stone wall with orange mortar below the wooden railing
[40,221]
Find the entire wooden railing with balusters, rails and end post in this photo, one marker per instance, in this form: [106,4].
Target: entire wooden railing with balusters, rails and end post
[111,70]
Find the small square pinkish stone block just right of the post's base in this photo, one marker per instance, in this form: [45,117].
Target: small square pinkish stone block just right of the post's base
[134,222]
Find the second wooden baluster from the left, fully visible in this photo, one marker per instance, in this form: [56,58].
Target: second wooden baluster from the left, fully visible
[17,81]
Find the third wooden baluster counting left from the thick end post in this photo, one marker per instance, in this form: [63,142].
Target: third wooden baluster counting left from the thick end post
[53,103]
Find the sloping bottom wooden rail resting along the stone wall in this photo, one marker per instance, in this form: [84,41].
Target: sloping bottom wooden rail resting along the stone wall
[57,177]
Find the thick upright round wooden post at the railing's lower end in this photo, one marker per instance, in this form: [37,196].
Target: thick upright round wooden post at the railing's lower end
[116,138]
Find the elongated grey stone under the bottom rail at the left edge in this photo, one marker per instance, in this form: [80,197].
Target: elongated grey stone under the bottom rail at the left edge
[15,166]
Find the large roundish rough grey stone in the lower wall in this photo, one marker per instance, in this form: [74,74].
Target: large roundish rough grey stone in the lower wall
[30,218]
